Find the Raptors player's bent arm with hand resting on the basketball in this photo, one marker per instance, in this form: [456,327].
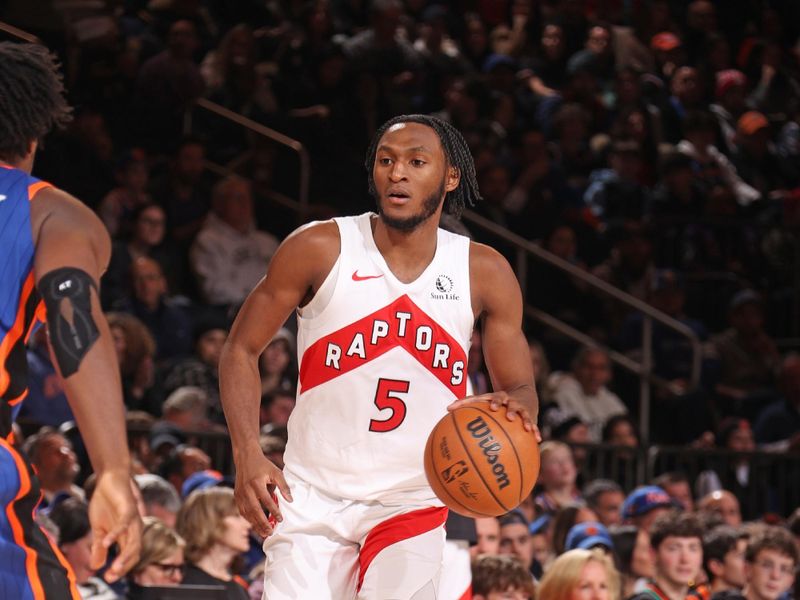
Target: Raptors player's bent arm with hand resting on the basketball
[497,298]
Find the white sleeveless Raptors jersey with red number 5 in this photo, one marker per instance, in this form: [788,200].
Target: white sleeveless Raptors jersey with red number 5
[380,360]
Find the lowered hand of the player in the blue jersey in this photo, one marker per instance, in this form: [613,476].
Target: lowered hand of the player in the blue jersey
[114,518]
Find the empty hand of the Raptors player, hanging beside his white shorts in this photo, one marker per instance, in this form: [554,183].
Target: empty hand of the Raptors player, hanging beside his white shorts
[256,480]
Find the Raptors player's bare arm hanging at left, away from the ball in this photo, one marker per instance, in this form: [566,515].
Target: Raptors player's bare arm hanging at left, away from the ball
[295,274]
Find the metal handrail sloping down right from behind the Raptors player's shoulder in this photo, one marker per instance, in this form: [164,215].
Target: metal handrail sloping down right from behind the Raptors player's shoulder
[643,368]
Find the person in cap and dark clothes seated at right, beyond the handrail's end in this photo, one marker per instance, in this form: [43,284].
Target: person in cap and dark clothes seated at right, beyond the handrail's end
[748,357]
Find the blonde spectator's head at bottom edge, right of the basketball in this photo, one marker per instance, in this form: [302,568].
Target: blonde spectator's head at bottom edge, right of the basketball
[580,574]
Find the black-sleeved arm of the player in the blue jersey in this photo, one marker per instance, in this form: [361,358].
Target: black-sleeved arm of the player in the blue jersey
[72,251]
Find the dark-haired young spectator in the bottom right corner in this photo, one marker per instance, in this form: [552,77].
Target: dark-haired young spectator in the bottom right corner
[770,563]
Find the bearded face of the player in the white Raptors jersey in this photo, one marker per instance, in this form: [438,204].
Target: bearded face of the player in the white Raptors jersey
[411,176]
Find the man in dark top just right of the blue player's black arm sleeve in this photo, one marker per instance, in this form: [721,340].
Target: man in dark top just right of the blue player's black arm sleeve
[168,320]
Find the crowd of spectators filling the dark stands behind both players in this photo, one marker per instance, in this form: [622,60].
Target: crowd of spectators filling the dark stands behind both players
[654,144]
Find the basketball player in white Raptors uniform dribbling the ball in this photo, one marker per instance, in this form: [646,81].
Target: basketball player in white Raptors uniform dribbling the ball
[386,305]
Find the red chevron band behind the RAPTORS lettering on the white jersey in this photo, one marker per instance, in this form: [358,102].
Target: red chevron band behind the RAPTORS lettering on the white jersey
[313,371]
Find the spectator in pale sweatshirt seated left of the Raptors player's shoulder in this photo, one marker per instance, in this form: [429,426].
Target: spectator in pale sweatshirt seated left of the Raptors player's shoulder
[230,255]
